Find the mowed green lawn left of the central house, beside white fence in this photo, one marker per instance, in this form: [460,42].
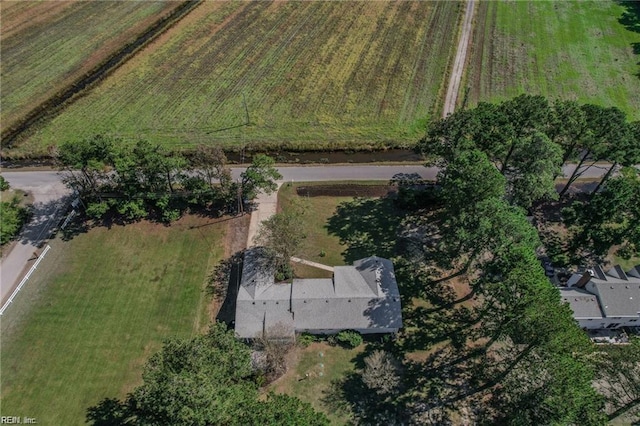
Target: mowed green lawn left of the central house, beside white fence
[97,308]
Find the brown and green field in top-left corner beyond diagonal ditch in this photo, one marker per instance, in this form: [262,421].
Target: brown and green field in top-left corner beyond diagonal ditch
[47,45]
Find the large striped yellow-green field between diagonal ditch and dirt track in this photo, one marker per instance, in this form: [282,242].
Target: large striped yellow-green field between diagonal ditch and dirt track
[276,74]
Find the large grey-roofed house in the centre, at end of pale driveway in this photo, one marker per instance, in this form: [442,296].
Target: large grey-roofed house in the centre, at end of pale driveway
[363,297]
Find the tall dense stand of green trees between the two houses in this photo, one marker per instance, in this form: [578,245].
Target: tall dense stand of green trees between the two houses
[542,376]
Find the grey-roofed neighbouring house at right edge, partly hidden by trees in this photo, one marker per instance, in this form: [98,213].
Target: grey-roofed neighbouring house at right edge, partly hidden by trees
[601,299]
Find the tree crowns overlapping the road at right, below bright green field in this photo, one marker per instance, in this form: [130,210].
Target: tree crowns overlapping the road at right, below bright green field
[529,139]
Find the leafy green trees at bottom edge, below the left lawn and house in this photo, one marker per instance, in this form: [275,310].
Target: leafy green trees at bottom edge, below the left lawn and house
[204,381]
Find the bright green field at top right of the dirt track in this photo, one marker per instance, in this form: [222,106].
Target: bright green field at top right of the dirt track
[561,49]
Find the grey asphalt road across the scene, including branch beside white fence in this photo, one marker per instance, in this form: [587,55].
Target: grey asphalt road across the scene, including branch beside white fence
[51,198]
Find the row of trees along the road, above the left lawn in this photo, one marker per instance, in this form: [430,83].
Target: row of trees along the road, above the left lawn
[145,180]
